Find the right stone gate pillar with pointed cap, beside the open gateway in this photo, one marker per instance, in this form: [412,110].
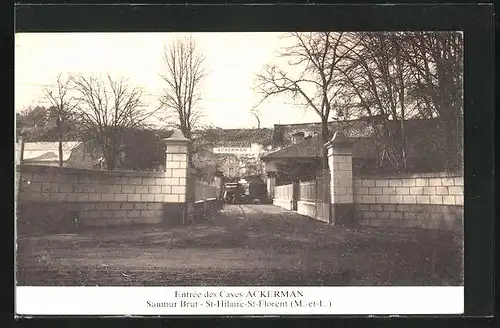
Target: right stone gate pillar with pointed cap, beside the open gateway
[339,150]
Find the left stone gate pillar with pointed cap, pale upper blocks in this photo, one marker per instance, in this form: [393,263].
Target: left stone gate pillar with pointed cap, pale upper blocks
[176,175]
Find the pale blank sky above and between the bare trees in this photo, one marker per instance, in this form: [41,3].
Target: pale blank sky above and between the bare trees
[231,60]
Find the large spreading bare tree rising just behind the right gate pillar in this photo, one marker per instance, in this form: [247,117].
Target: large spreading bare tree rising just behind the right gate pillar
[309,74]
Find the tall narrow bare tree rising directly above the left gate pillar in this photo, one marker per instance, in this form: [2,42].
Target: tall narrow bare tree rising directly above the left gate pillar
[183,73]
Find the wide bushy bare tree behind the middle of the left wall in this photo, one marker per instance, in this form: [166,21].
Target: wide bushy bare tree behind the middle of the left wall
[108,108]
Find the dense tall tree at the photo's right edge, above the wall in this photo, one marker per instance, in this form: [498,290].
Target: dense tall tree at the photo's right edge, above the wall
[436,60]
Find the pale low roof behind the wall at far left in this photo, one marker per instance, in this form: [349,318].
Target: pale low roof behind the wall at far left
[47,151]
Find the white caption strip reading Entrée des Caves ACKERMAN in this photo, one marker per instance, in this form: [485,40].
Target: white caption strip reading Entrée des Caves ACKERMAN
[238,300]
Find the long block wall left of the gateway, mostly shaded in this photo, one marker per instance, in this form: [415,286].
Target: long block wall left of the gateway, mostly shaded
[53,198]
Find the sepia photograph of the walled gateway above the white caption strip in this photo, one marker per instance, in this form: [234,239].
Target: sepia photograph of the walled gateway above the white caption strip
[239,159]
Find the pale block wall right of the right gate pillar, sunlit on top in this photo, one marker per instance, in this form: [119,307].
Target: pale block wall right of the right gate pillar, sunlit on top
[433,201]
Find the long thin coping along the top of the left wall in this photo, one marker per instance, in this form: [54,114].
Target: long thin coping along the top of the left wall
[77,171]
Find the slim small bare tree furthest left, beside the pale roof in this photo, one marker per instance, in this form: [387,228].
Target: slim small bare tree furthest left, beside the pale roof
[63,105]
